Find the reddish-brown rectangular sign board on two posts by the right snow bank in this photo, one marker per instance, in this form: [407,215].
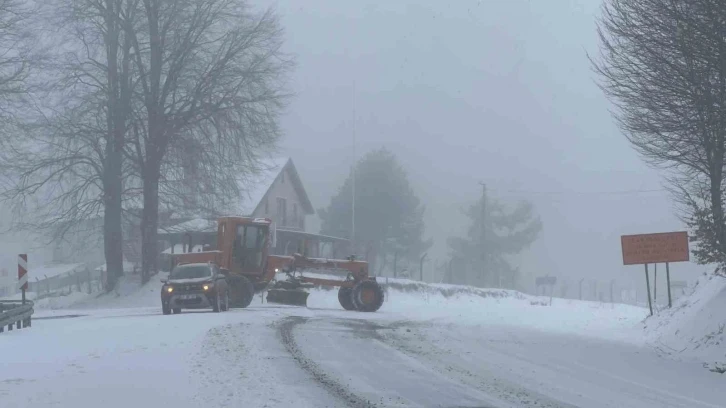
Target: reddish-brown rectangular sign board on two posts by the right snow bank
[655,248]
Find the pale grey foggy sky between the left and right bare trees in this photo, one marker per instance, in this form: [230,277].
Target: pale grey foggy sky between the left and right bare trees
[500,92]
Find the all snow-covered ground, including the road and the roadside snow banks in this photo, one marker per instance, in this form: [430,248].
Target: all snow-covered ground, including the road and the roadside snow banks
[430,345]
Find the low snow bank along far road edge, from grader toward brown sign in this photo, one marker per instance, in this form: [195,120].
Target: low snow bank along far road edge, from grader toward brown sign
[488,307]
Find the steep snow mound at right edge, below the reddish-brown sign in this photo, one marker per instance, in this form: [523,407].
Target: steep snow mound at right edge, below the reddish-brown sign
[696,325]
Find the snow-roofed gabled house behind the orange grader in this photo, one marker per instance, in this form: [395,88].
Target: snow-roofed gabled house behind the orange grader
[276,192]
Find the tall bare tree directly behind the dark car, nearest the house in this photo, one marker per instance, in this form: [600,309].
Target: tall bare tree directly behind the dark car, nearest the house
[211,87]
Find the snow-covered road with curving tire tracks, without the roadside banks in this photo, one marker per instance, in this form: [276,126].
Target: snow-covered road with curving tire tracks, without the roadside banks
[285,356]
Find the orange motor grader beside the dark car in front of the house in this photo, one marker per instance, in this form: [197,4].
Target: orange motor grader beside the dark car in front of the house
[243,253]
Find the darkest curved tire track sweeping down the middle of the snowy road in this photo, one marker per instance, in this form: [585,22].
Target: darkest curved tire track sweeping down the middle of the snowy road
[332,385]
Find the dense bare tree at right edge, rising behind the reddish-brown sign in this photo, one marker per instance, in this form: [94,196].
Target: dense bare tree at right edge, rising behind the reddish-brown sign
[663,65]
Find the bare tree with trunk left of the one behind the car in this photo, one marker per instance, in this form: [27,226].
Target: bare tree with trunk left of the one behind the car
[69,160]
